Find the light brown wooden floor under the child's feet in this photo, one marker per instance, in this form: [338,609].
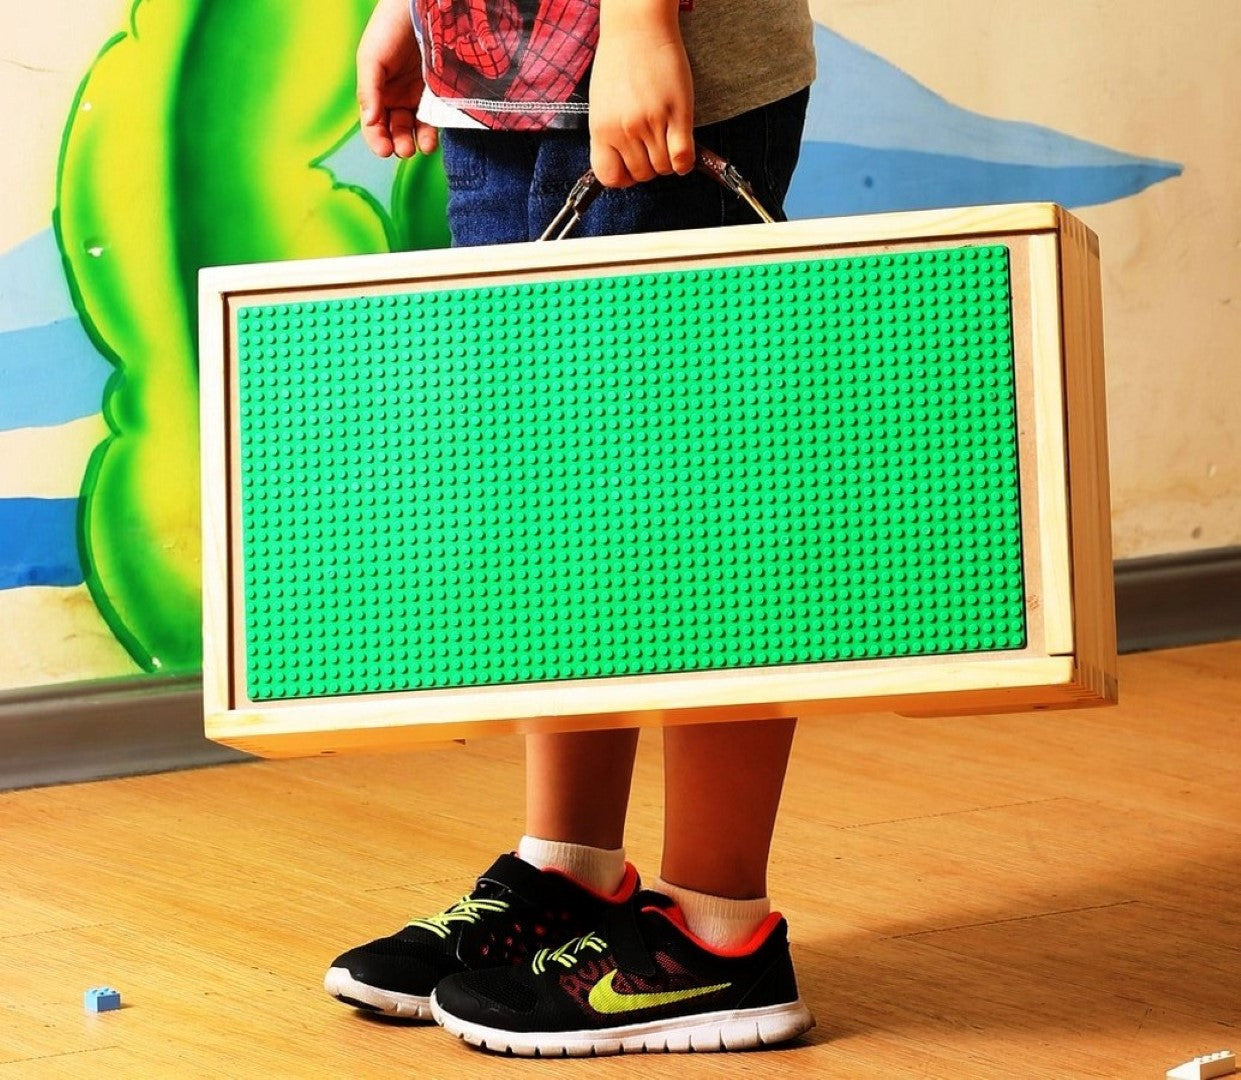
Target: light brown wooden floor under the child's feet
[1021,897]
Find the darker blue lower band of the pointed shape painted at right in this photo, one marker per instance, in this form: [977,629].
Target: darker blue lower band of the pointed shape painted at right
[840,179]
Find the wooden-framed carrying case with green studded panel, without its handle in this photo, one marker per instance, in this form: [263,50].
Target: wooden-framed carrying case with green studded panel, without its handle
[804,469]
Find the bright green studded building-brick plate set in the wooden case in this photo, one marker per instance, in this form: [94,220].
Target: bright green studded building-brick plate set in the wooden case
[692,470]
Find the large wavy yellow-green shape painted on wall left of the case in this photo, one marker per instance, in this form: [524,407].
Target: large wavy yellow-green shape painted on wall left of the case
[194,141]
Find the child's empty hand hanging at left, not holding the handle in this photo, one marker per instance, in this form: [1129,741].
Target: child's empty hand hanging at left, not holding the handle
[390,84]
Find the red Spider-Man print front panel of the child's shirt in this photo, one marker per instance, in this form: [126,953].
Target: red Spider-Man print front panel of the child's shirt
[513,65]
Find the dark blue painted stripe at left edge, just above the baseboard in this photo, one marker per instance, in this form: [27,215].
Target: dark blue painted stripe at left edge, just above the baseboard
[39,543]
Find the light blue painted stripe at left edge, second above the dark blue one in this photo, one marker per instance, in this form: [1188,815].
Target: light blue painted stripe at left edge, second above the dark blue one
[50,376]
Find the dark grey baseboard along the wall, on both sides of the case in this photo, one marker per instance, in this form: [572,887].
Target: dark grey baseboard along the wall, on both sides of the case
[100,731]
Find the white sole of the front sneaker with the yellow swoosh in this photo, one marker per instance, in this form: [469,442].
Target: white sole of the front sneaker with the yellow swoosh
[733,1030]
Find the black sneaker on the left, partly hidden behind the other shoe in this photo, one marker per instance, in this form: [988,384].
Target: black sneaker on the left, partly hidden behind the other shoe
[514,911]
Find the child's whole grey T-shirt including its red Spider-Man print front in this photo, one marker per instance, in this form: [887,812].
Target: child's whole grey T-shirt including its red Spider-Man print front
[524,65]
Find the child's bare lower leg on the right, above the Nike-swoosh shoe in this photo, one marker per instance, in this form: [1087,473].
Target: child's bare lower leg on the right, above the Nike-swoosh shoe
[722,790]
